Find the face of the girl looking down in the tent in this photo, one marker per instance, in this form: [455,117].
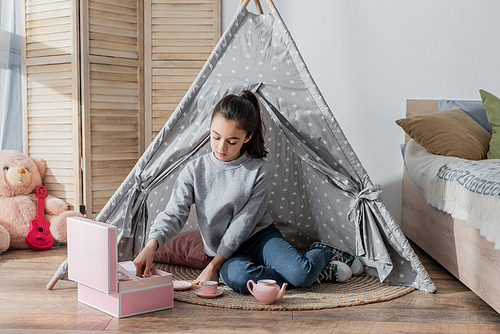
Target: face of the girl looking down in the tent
[226,139]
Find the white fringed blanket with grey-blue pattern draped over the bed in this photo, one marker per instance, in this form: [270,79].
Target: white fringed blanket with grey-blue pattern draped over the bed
[468,190]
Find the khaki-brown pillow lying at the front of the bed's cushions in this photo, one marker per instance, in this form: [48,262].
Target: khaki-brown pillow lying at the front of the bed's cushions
[451,133]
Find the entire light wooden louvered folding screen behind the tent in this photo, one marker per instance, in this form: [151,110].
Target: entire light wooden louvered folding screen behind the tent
[101,77]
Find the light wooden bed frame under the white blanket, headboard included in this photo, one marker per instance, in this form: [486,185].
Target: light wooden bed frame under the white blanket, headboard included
[460,249]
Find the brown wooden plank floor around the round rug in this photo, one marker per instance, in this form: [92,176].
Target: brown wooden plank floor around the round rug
[27,307]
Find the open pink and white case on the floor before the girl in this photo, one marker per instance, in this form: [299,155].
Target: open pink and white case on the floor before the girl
[92,262]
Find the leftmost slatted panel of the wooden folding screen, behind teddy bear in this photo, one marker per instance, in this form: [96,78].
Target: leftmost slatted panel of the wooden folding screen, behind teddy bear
[51,93]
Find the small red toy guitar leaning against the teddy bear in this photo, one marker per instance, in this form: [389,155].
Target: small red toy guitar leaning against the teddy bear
[39,236]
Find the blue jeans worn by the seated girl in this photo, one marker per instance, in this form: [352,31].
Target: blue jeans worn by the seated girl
[267,255]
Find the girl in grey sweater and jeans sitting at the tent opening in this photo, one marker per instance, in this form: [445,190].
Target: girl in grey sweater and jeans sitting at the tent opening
[231,189]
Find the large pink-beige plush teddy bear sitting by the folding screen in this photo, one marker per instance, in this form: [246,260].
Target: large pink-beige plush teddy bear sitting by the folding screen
[18,202]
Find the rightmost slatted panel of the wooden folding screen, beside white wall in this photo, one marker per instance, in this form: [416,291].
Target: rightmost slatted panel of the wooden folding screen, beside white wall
[179,35]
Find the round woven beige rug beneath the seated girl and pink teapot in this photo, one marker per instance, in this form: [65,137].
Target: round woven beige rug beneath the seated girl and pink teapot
[358,290]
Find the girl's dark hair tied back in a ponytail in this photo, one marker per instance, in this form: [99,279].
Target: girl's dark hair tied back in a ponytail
[244,110]
